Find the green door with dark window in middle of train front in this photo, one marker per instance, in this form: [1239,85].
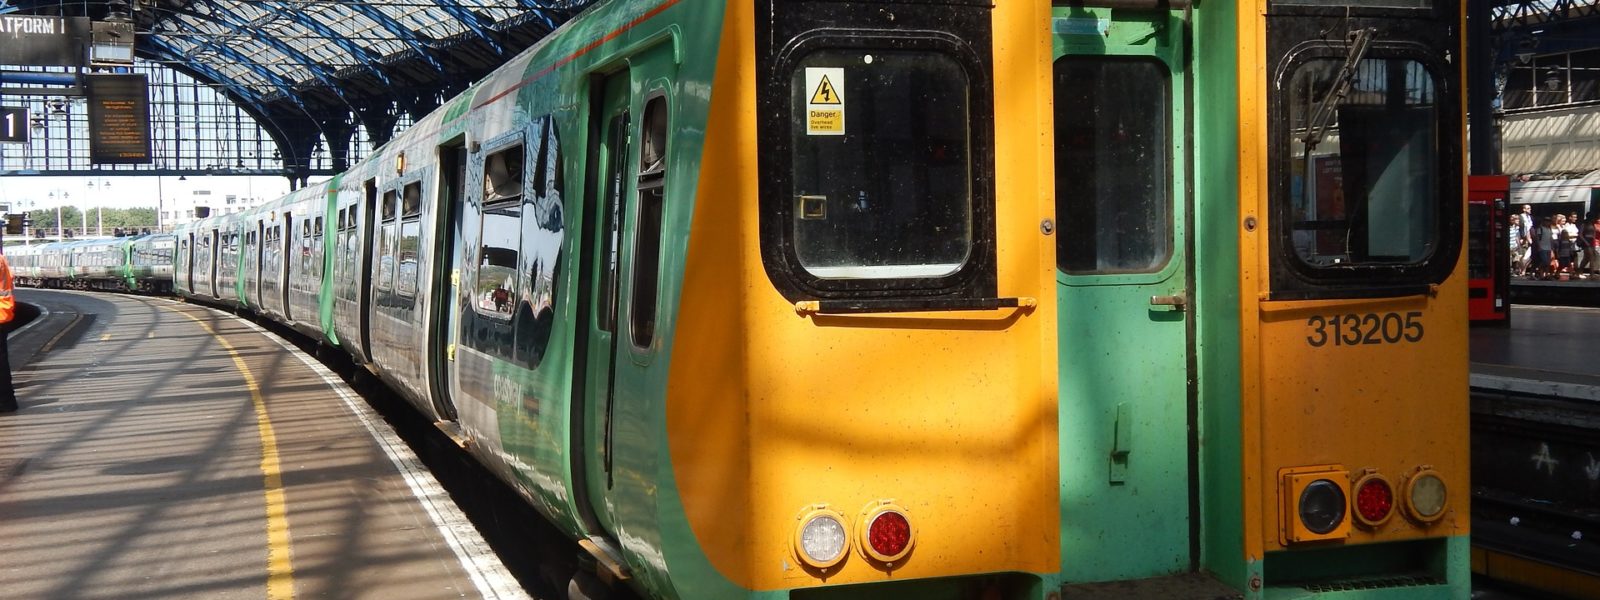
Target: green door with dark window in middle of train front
[1122,290]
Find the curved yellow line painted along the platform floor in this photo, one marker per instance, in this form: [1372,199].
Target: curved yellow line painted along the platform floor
[281,569]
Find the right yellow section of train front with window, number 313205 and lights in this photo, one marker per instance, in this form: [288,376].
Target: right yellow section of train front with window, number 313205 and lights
[1353,417]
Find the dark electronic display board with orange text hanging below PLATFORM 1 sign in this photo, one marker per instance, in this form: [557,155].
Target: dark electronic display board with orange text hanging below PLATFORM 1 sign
[119,119]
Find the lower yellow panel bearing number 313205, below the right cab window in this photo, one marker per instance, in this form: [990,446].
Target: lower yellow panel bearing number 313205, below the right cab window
[1378,406]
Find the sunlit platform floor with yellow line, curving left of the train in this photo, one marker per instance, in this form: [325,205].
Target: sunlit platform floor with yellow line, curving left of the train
[166,450]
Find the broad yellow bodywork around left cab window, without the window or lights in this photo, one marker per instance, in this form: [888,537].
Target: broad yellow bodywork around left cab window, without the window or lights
[950,415]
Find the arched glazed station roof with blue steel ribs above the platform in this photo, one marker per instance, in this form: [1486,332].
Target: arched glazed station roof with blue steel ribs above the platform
[329,60]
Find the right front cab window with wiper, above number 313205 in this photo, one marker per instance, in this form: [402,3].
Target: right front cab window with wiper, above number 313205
[1364,161]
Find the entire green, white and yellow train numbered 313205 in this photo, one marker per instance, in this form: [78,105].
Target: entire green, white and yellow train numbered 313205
[929,300]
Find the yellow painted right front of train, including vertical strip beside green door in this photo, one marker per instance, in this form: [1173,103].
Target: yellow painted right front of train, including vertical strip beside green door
[1383,402]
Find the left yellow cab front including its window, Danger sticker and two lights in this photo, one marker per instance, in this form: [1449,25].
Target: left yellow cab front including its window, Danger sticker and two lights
[860,338]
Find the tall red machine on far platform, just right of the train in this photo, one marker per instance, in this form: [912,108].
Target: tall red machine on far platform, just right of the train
[1489,249]
